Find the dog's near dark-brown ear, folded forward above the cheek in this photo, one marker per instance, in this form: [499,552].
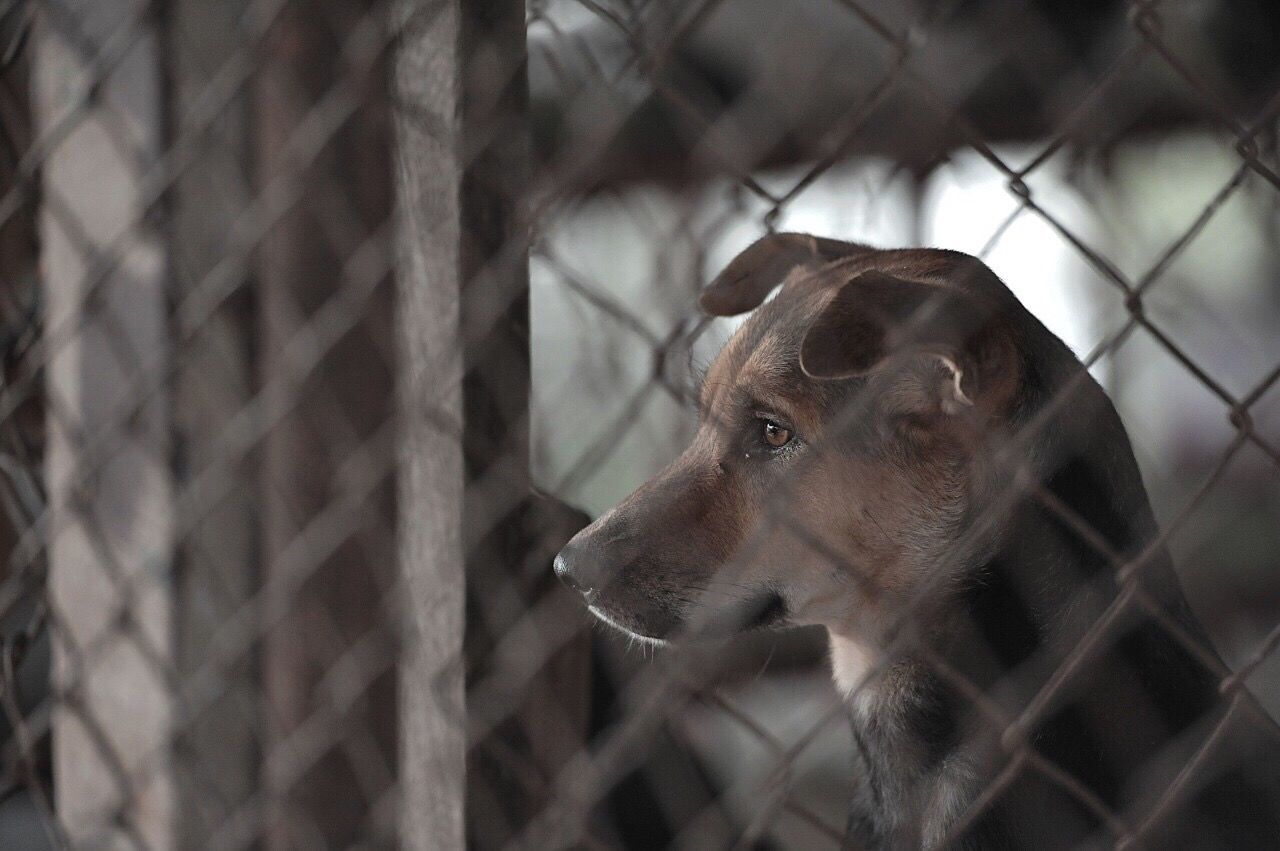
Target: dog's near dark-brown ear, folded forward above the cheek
[877,317]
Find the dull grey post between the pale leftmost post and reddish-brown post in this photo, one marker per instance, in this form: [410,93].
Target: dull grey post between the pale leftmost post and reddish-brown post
[217,559]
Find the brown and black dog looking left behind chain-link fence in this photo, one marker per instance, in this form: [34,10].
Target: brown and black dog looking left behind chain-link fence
[893,447]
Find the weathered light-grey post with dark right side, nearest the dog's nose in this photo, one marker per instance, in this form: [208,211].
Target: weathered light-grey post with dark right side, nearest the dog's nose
[467,506]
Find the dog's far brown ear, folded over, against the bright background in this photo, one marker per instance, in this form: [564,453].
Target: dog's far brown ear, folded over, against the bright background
[751,277]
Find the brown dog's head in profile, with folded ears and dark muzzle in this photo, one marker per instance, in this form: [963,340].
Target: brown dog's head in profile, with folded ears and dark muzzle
[840,447]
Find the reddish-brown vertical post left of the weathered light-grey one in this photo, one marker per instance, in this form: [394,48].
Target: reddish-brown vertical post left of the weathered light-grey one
[327,465]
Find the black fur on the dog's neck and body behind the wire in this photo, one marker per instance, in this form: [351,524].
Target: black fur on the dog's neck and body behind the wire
[1132,716]
